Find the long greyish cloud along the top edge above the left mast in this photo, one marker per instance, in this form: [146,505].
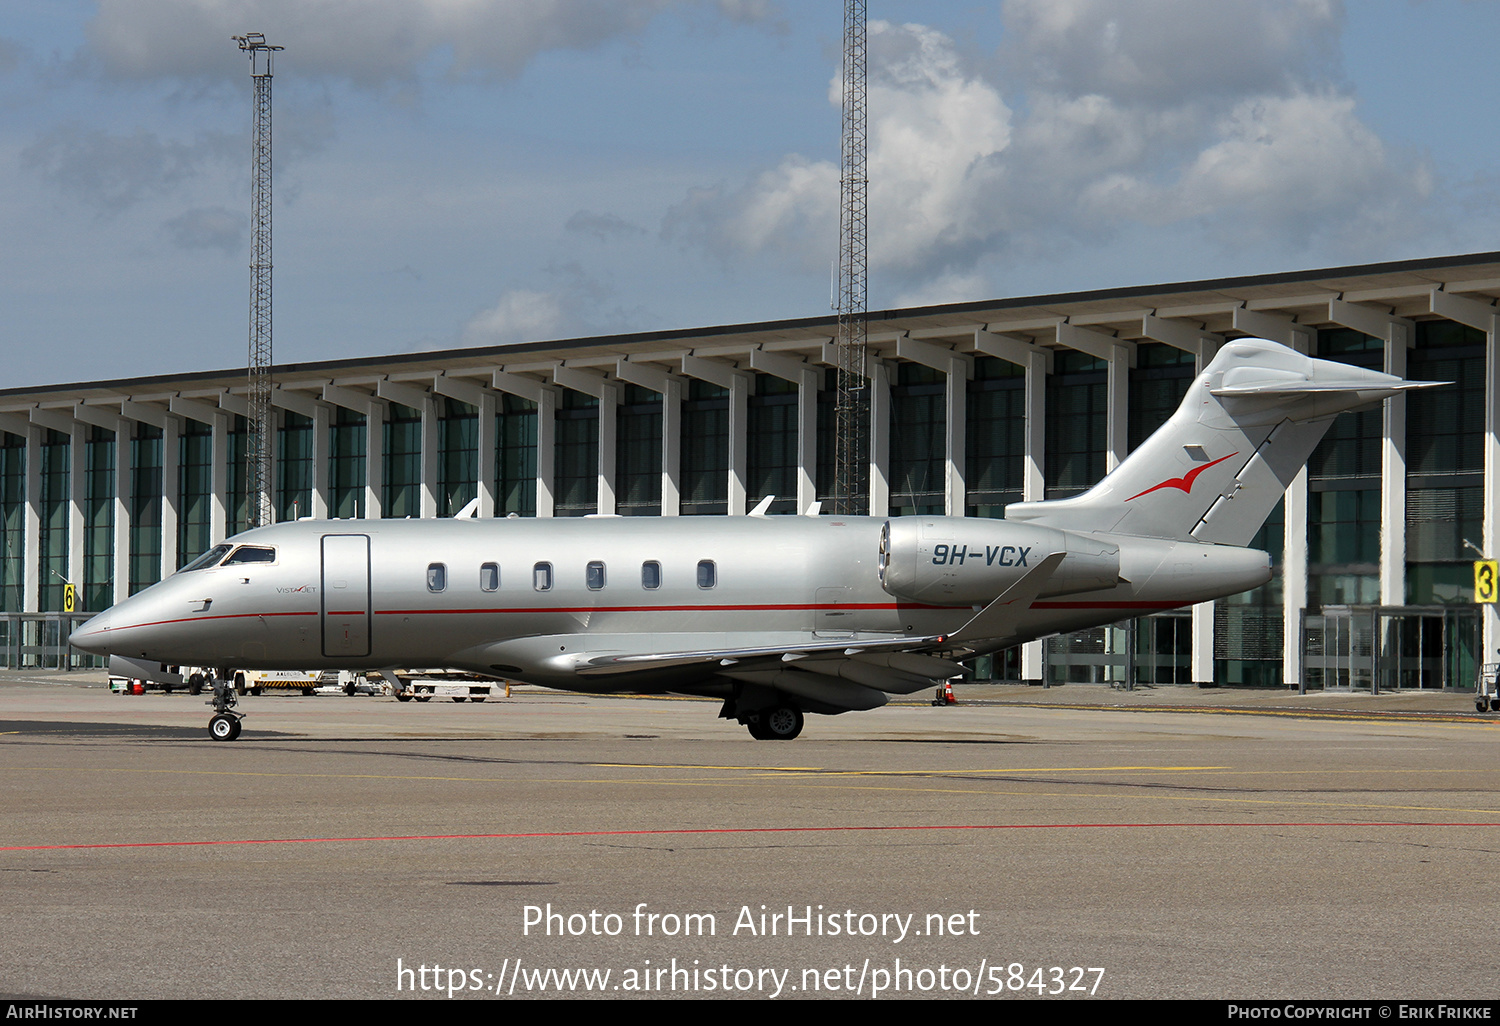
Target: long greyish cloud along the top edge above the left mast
[370,43]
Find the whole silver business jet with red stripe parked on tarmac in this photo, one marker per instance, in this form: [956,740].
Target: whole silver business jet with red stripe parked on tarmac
[778,616]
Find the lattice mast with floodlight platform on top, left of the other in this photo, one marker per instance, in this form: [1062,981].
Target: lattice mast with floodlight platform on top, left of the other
[259,439]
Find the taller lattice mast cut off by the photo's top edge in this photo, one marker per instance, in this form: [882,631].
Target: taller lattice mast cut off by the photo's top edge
[851,433]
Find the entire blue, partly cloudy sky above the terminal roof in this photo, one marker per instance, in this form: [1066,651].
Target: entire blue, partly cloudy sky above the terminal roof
[487,172]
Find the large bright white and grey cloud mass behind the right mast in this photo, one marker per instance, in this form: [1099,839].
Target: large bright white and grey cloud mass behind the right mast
[1127,115]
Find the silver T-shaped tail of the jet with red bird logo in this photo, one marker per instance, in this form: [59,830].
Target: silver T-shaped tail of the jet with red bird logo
[1219,467]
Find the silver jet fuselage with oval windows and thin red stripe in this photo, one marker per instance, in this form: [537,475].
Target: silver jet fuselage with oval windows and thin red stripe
[536,599]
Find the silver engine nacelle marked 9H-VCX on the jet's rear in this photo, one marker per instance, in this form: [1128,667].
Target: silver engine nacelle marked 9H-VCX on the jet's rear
[959,562]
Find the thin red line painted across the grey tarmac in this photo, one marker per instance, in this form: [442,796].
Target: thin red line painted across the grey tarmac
[727,830]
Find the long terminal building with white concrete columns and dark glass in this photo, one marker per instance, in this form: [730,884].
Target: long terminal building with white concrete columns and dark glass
[109,487]
